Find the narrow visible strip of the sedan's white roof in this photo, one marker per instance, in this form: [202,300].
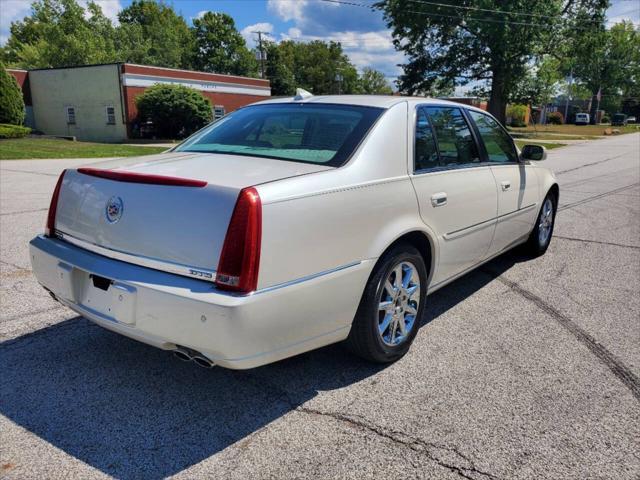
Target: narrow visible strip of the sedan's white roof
[380,101]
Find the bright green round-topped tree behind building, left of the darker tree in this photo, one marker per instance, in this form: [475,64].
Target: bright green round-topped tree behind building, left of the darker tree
[153,33]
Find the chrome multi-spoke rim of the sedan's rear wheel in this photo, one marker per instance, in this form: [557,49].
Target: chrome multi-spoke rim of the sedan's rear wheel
[398,304]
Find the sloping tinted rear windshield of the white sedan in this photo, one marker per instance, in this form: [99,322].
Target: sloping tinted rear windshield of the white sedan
[302,132]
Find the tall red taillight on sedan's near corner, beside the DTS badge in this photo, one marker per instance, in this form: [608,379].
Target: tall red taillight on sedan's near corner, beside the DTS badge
[240,258]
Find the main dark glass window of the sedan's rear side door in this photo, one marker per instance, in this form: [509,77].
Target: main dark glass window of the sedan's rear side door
[455,141]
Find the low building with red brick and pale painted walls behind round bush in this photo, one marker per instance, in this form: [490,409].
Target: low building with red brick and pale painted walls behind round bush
[97,102]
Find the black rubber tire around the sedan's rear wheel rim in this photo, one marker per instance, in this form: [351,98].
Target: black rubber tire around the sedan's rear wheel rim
[364,338]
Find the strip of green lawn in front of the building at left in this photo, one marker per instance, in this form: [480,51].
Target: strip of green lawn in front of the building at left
[21,148]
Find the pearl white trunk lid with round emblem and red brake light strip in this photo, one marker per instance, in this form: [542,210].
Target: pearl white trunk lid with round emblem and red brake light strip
[168,212]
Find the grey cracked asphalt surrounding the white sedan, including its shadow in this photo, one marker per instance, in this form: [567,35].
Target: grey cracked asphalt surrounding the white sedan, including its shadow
[522,369]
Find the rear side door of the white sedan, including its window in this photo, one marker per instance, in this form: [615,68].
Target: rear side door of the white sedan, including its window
[456,190]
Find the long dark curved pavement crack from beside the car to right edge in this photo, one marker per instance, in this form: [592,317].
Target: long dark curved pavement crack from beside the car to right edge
[619,369]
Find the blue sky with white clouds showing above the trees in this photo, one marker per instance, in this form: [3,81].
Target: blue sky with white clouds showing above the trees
[363,33]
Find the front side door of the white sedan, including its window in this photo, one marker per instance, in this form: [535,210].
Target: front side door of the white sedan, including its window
[516,181]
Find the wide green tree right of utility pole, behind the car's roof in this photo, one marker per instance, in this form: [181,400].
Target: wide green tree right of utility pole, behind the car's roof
[319,67]
